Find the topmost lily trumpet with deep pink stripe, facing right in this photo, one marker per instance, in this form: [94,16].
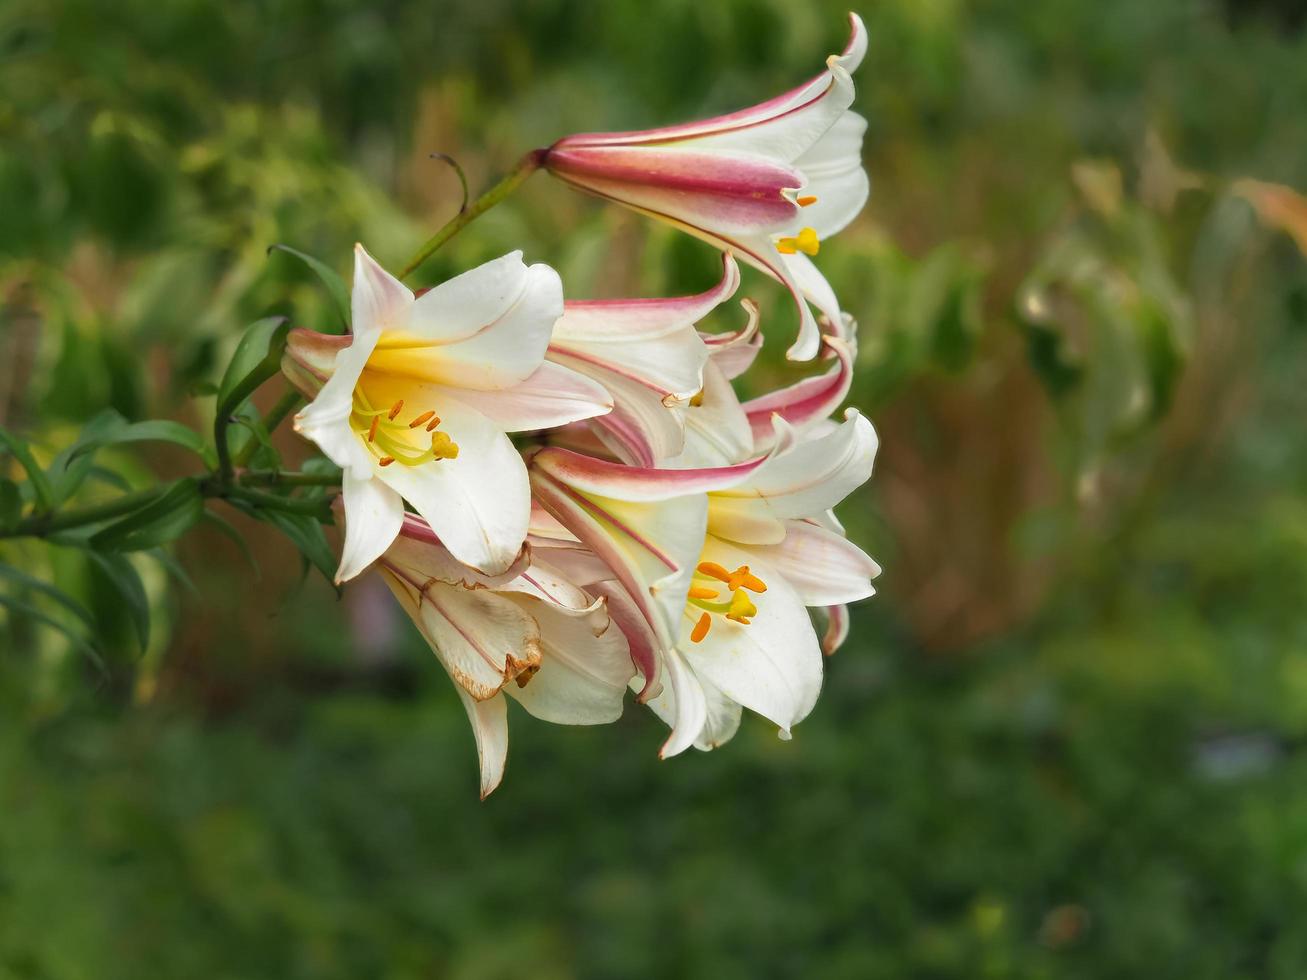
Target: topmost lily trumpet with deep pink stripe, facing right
[768,184]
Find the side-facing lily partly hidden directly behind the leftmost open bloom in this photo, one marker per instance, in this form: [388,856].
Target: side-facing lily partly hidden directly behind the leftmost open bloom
[649,356]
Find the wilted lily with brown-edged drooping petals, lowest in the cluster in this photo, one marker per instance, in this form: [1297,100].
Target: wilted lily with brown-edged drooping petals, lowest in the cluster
[529,634]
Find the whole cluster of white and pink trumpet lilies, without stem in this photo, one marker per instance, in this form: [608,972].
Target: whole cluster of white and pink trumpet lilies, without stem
[649,531]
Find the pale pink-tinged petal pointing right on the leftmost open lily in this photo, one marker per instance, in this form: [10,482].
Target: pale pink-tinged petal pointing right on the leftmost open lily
[552,397]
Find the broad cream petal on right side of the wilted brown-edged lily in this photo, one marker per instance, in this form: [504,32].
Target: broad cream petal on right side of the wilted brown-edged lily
[585,668]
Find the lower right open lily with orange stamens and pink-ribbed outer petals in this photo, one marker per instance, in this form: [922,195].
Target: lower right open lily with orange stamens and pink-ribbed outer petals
[722,563]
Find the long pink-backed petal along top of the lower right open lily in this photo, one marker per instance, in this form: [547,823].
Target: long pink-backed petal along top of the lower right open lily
[638,484]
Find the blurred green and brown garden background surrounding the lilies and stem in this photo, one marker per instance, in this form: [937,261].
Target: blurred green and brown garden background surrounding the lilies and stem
[1067,740]
